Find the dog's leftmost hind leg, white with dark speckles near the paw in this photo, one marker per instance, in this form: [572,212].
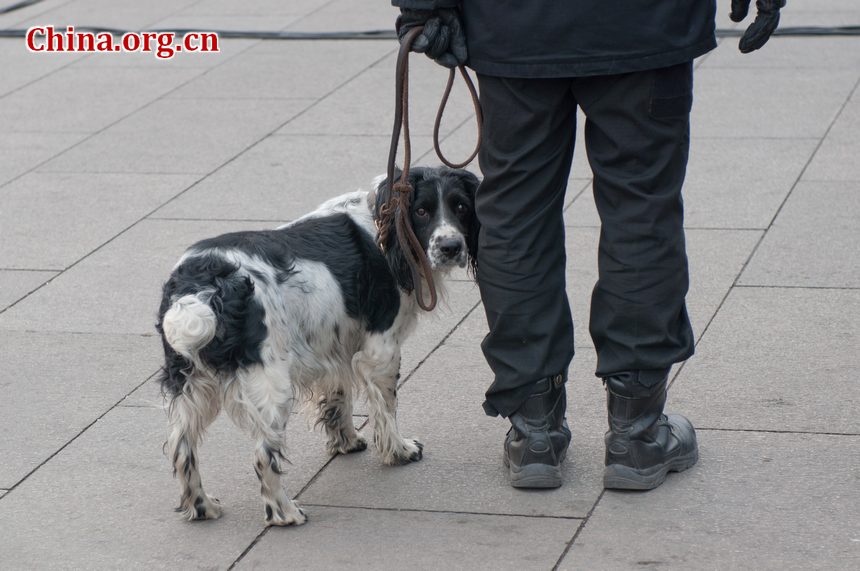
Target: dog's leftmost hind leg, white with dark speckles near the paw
[190,413]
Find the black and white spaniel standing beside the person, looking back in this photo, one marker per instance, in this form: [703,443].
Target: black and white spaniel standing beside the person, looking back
[255,322]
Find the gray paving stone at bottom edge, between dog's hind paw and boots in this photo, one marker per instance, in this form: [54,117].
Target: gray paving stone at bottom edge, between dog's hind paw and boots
[376,539]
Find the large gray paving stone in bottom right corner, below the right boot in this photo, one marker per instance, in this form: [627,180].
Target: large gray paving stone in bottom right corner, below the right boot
[754,501]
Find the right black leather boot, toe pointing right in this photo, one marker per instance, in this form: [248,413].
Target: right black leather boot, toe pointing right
[643,444]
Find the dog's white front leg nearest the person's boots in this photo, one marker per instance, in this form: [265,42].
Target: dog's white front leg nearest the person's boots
[378,365]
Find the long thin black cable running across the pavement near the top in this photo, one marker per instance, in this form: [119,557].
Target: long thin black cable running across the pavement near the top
[801,31]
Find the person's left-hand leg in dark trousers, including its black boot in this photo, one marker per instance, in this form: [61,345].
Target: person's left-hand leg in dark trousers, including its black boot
[528,136]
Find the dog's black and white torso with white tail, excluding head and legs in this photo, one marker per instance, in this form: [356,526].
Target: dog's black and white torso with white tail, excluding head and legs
[303,294]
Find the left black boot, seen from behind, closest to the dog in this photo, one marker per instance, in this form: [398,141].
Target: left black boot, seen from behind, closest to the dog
[538,439]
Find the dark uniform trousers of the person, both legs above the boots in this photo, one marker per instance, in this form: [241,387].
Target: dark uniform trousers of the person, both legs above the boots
[637,141]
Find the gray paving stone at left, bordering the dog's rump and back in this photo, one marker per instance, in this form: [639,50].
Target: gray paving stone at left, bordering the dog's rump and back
[117,289]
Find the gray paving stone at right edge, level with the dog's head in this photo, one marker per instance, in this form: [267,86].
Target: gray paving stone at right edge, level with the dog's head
[813,242]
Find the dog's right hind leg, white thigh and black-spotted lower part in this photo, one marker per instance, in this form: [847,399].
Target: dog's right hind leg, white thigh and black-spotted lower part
[265,404]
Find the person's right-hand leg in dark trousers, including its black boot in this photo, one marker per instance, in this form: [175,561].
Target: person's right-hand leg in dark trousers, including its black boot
[637,139]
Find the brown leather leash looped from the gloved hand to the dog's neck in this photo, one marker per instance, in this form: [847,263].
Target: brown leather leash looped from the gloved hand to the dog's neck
[397,207]
